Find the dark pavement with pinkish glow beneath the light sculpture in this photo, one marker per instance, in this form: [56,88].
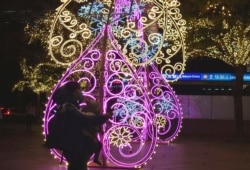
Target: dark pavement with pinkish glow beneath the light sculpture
[20,150]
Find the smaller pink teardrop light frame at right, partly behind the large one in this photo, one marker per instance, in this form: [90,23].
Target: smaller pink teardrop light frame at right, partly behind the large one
[165,103]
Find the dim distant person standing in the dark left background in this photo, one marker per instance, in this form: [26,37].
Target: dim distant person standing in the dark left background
[30,116]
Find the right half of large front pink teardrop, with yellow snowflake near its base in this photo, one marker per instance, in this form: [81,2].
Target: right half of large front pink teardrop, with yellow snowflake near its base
[124,142]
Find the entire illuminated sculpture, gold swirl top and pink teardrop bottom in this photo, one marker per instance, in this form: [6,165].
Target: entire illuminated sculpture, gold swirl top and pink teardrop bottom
[114,50]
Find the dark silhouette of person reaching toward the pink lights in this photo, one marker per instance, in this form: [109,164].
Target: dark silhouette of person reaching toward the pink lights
[77,145]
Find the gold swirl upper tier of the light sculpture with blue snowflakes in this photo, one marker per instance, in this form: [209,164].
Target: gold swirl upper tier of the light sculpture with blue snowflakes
[145,31]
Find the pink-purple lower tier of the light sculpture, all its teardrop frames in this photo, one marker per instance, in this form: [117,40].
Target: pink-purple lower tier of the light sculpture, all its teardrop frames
[133,152]
